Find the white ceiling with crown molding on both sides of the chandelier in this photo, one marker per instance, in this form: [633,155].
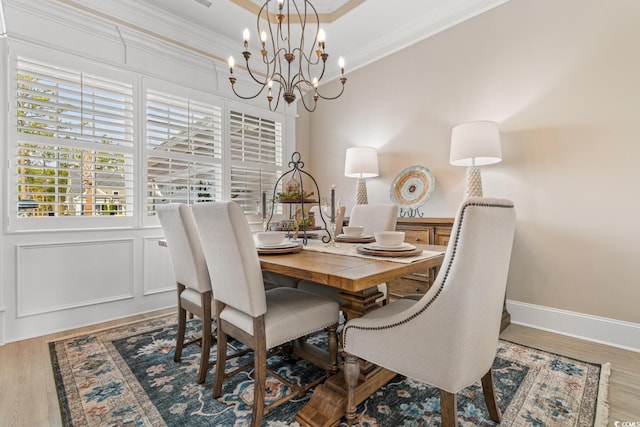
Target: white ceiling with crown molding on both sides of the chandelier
[365,33]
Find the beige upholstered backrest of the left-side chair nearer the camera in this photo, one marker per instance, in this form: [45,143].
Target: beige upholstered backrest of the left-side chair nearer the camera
[231,256]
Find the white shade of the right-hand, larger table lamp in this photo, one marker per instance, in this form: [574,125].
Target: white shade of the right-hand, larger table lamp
[475,143]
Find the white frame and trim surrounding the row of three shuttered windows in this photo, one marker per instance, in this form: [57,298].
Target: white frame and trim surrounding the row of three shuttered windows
[140,83]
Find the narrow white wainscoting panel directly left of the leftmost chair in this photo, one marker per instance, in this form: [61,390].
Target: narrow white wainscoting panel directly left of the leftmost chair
[158,271]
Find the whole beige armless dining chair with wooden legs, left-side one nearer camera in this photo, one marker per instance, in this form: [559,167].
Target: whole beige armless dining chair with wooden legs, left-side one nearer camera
[262,320]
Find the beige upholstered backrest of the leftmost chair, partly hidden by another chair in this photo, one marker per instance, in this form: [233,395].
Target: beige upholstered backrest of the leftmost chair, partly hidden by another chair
[185,247]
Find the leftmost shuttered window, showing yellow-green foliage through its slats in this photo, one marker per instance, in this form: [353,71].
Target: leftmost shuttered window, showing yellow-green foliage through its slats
[75,143]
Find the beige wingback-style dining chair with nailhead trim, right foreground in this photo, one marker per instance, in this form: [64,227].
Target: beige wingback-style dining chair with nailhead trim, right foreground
[448,338]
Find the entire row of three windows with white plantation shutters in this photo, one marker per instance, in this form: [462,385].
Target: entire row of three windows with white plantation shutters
[77,155]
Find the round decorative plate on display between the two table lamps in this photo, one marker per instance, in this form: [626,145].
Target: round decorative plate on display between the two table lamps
[412,187]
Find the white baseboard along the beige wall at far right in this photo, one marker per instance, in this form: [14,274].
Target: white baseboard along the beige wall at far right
[616,333]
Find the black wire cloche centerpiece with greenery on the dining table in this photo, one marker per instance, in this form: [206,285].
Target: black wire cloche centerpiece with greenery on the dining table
[295,193]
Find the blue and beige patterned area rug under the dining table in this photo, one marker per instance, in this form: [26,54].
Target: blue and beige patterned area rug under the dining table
[126,376]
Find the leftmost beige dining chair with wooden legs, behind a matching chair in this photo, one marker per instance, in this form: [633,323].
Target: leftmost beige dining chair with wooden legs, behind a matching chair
[192,277]
